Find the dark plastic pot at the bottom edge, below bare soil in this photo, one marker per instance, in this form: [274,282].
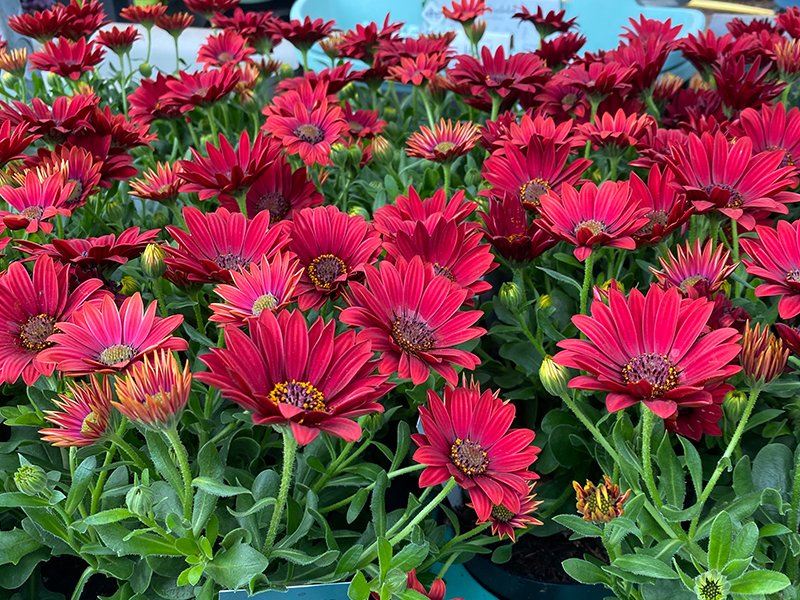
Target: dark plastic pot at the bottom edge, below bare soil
[507,586]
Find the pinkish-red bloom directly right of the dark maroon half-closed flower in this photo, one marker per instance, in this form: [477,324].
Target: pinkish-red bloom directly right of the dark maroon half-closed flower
[593,217]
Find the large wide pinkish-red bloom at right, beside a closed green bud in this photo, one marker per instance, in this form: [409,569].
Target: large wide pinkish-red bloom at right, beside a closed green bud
[650,349]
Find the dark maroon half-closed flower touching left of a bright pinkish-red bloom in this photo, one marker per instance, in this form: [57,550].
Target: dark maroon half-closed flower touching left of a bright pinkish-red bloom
[508,228]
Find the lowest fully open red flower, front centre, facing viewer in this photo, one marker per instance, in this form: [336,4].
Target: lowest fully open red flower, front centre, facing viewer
[467,435]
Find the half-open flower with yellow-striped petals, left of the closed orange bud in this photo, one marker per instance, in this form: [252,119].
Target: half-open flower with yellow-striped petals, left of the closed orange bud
[82,416]
